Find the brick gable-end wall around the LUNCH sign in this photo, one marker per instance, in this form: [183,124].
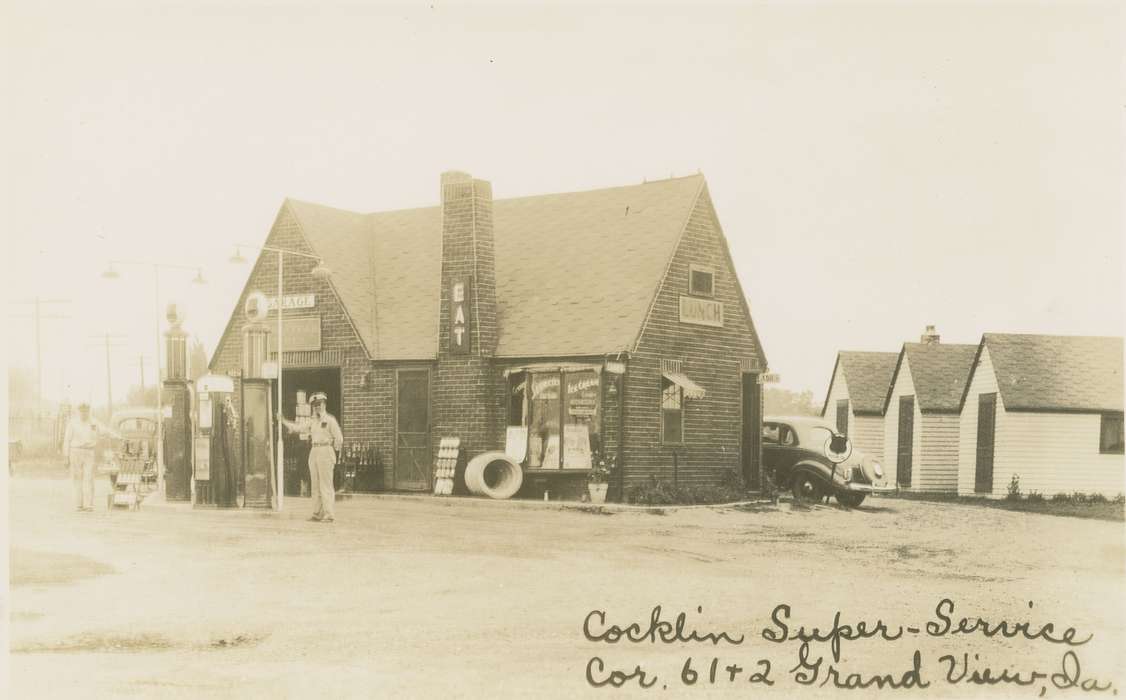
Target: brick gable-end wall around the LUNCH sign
[711,357]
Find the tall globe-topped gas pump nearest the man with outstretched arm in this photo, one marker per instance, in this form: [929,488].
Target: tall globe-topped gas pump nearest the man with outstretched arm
[257,421]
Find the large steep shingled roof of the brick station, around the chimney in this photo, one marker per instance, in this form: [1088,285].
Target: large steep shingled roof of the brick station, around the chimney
[576,272]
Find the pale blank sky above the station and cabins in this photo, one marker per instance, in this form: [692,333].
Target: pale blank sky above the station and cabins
[877,168]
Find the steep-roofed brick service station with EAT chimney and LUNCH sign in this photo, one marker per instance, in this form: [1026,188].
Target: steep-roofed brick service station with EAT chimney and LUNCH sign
[609,320]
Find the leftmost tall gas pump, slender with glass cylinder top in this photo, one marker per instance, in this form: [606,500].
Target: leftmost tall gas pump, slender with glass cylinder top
[177,411]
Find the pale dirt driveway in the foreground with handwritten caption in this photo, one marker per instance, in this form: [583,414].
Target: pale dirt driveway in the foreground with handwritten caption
[426,598]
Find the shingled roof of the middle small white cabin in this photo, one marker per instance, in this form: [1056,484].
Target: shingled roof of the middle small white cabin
[941,373]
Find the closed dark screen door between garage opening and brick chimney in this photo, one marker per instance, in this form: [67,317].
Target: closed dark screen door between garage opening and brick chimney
[413,430]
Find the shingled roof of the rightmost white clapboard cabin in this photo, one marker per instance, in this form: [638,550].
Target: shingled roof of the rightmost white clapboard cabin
[1057,373]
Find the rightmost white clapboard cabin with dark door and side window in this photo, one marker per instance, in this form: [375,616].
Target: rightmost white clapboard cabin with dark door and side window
[1047,410]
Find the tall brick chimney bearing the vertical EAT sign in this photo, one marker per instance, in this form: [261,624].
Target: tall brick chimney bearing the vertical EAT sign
[466,401]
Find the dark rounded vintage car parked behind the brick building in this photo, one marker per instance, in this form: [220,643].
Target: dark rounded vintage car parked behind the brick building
[794,454]
